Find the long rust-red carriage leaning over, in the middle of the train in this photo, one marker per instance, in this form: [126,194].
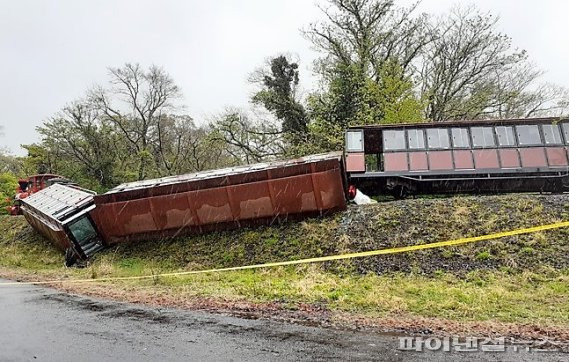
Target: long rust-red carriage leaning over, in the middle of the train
[221,199]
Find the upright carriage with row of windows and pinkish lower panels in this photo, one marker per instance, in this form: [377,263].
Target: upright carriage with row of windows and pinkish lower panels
[459,156]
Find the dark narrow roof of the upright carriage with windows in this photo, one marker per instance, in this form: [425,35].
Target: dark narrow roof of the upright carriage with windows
[463,123]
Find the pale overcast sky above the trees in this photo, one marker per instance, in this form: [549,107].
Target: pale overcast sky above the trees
[51,52]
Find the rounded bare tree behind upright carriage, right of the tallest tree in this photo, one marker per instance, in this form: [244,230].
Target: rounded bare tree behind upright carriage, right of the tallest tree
[462,66]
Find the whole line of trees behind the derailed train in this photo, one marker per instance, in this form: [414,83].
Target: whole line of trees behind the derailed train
[379,63]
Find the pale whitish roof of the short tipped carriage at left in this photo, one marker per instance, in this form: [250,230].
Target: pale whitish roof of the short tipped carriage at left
[58,201]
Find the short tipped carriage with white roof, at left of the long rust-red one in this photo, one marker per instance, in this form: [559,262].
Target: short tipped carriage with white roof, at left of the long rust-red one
[61,214]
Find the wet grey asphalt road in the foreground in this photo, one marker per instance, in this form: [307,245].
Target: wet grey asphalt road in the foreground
[40,324]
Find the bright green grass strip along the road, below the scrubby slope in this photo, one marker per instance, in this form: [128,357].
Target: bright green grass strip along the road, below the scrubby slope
[540,298]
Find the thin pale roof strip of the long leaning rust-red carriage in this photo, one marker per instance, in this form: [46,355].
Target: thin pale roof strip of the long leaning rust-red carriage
[229,171]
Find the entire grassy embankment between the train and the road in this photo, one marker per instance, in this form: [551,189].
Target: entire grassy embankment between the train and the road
[522,279]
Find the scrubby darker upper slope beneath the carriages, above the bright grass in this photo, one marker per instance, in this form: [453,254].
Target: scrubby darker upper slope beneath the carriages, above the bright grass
[360,228]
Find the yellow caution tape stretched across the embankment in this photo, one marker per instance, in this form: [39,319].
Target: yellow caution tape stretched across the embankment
[362,254]
